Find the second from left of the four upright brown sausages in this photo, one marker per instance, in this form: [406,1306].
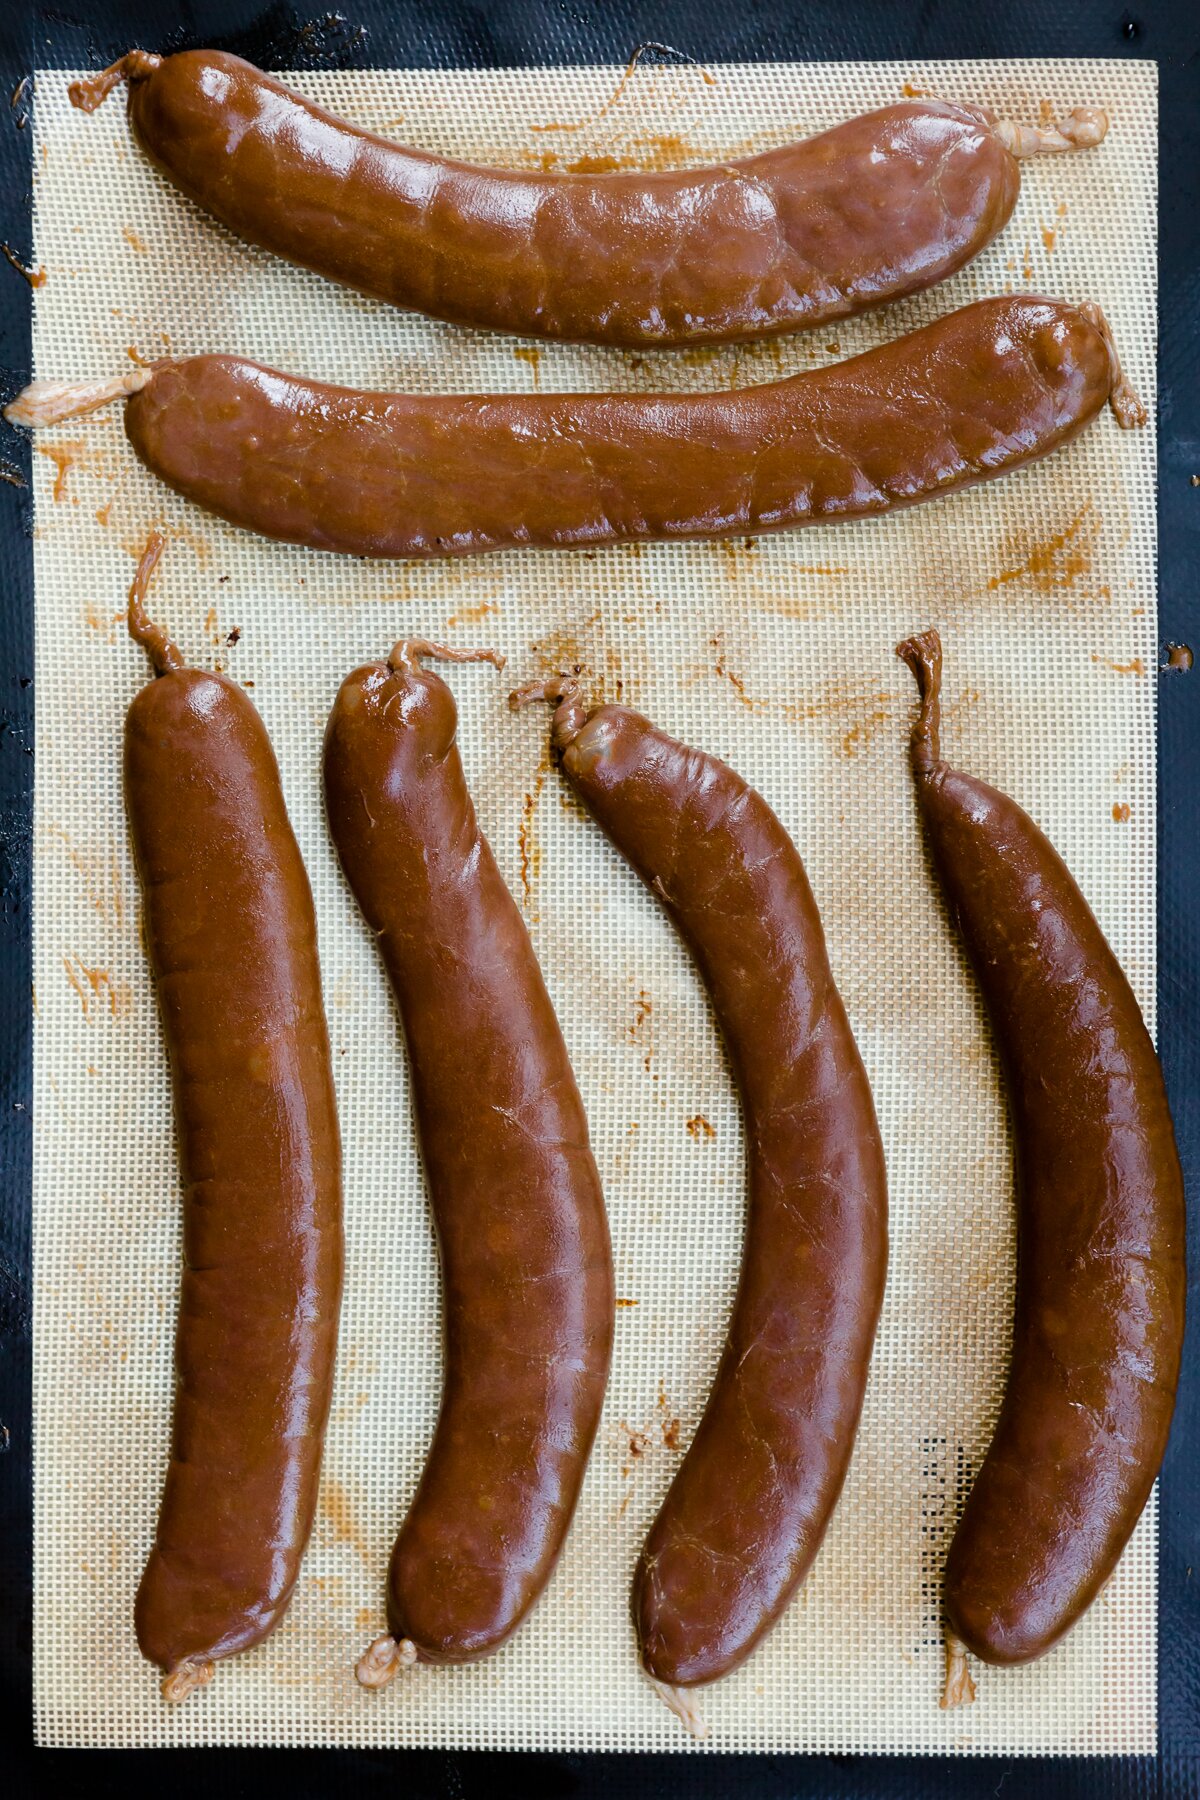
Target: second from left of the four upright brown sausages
[515,1192]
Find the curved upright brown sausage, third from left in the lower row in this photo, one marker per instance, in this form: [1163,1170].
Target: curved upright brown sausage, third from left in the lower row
[749,1506]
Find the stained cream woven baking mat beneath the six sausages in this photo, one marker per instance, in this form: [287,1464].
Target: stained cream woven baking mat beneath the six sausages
[775,654]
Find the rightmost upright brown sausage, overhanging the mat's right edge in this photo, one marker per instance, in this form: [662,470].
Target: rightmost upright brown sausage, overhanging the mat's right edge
[1100,1225]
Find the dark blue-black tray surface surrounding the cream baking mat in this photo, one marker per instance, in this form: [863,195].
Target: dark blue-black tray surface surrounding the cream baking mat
[582,31]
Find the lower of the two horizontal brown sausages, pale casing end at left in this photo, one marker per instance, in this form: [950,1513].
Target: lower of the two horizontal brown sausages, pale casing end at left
[962,400]
